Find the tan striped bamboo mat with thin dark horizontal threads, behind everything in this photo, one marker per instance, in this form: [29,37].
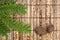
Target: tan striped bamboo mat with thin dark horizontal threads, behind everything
[36,10]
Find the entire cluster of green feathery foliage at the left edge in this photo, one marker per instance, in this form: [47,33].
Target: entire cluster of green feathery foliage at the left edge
[7,8]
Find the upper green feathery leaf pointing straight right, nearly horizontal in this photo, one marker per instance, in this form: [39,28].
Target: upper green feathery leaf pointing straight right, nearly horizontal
[13,9]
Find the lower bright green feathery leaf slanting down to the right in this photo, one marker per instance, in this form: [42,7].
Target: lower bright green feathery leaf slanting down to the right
[14,24]
